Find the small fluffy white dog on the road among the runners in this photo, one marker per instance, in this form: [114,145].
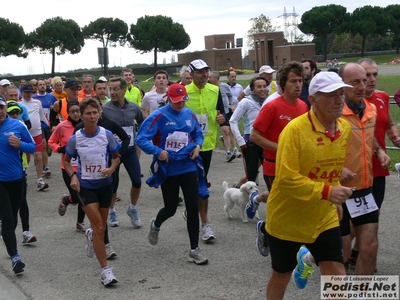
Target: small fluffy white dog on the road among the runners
[240,197]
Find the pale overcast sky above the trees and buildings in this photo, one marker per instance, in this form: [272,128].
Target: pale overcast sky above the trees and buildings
[199,19]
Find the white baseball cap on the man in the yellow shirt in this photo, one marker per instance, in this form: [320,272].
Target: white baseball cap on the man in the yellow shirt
[326,82]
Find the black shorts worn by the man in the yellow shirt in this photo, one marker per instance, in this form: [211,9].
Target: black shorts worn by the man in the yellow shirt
[327,247]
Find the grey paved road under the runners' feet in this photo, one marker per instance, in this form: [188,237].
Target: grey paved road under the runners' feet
[57,267]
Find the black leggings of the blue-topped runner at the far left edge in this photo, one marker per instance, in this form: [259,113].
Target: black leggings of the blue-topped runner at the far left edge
[10,200]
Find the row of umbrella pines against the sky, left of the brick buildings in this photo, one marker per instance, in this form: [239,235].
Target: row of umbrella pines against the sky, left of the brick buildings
[58,36]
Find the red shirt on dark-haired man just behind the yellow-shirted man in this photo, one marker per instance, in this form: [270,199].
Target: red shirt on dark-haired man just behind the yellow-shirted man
[271,120]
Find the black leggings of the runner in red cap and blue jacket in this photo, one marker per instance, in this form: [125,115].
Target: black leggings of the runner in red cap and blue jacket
[170,191]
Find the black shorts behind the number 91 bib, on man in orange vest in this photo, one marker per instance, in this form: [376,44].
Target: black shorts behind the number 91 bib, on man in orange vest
[372,217]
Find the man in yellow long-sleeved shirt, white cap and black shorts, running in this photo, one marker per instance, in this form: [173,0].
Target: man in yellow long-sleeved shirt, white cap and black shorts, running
[306,194]
